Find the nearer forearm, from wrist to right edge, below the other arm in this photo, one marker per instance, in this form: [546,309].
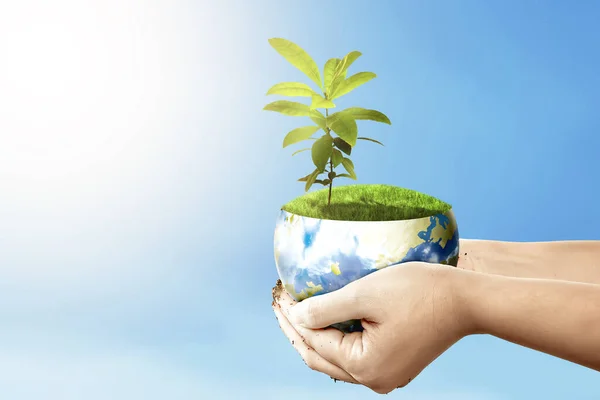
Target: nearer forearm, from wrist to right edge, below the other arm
[556,317]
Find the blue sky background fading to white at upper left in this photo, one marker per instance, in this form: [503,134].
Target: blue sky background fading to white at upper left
[140,181]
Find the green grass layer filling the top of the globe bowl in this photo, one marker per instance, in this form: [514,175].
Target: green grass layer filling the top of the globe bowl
[366,203]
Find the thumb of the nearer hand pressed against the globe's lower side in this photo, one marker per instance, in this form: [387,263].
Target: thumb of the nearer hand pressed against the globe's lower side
[323,310]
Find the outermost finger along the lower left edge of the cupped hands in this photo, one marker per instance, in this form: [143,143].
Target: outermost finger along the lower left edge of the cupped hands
[311,358]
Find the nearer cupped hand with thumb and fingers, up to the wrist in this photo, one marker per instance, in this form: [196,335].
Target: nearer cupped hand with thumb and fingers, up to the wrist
[411,313]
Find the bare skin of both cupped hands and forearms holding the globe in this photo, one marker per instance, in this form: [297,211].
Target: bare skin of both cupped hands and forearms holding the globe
[412,313]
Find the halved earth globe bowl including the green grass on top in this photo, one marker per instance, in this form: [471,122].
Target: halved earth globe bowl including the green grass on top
[315,256]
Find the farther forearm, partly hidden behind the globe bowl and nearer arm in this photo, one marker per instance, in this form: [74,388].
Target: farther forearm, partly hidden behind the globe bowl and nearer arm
[577,261]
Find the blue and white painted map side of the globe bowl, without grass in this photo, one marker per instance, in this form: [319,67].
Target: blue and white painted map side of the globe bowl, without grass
[317,256]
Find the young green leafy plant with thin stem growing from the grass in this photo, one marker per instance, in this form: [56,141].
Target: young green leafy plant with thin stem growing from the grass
[340,128]
